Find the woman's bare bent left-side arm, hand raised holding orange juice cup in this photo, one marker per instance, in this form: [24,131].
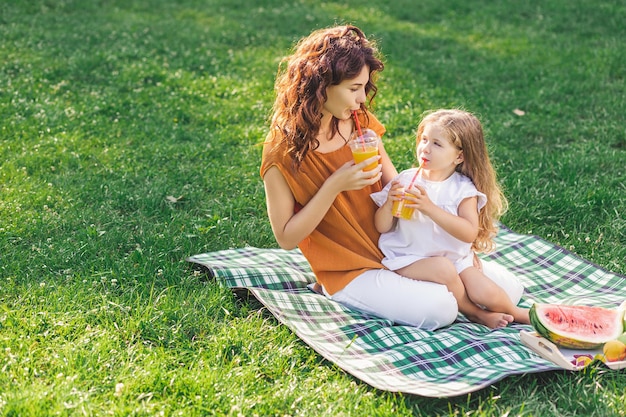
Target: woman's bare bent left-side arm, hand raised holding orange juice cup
[291,228]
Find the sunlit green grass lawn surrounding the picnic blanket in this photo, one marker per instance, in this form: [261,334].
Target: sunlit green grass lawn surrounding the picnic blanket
[129,141]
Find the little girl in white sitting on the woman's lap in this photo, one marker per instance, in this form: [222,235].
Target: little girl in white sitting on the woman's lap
[457,202]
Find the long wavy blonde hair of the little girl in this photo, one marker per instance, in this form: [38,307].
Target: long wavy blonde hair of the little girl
[466,132]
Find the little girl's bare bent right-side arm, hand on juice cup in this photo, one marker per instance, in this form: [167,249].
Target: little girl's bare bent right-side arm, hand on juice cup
[463,226]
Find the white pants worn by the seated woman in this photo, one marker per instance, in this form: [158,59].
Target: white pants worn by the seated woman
[422,304]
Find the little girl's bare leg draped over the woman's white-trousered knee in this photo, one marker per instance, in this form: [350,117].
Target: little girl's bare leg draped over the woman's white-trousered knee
[442,271]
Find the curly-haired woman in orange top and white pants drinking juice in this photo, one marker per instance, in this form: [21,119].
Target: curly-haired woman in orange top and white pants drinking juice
[318,199]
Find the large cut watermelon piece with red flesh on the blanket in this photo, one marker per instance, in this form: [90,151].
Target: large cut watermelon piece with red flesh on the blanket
[577,327]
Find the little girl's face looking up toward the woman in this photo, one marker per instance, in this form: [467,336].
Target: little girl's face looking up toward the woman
[436,152]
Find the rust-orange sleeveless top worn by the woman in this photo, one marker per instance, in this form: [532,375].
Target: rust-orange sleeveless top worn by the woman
[345,243]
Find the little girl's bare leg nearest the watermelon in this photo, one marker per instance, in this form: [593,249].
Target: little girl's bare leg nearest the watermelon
[483,291]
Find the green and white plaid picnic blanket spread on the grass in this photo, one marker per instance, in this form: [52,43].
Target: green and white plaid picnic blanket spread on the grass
[458,359]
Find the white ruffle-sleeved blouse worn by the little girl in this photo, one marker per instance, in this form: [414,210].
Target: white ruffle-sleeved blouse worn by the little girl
[420,237]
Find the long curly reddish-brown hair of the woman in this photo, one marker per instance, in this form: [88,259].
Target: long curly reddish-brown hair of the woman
[324,58]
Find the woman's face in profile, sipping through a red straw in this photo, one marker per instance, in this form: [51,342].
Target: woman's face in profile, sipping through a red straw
[347,96]
